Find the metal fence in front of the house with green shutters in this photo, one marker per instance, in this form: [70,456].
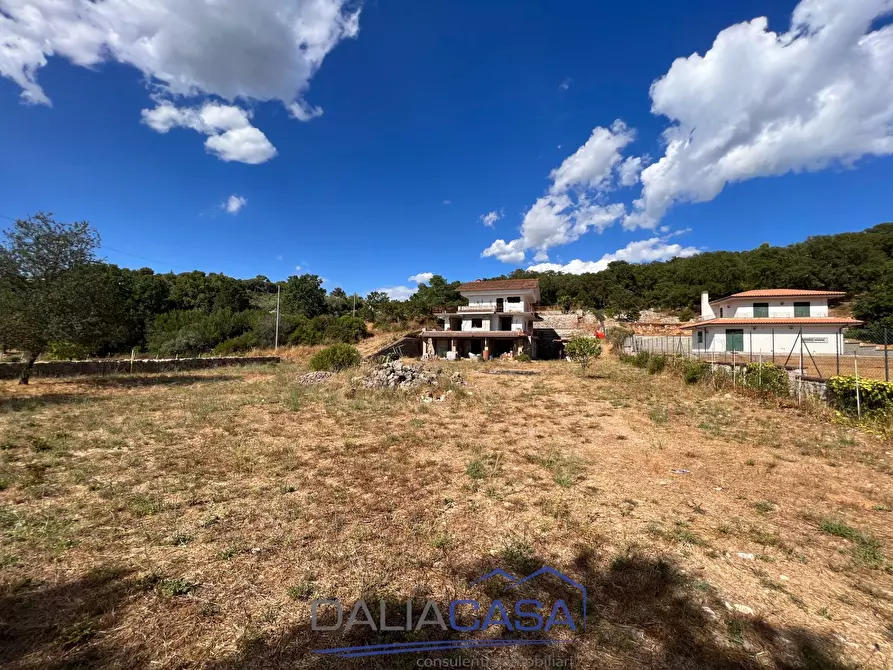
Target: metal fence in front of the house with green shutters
[864,352]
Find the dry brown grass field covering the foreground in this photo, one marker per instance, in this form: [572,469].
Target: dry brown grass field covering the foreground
[187,520]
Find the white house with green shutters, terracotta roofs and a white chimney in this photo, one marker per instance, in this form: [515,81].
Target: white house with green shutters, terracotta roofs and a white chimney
[767,320]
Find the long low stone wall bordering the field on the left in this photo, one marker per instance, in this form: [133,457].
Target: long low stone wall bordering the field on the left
[111,367]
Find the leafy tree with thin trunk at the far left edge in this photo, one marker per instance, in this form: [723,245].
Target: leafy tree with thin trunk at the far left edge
[53,289]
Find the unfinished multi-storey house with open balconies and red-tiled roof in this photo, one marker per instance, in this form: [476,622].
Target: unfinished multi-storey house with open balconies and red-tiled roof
[497,319]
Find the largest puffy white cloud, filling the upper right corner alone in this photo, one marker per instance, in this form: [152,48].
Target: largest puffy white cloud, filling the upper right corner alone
[762,104]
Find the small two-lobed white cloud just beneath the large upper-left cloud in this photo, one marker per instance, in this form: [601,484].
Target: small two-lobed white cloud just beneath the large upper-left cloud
[231,137]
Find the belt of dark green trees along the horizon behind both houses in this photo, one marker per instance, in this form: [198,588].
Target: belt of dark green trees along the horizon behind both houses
[59,299]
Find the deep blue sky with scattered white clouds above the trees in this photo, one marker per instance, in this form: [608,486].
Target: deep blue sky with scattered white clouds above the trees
[434,114]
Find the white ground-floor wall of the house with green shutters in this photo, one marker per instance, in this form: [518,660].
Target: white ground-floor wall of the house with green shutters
[824,340]
